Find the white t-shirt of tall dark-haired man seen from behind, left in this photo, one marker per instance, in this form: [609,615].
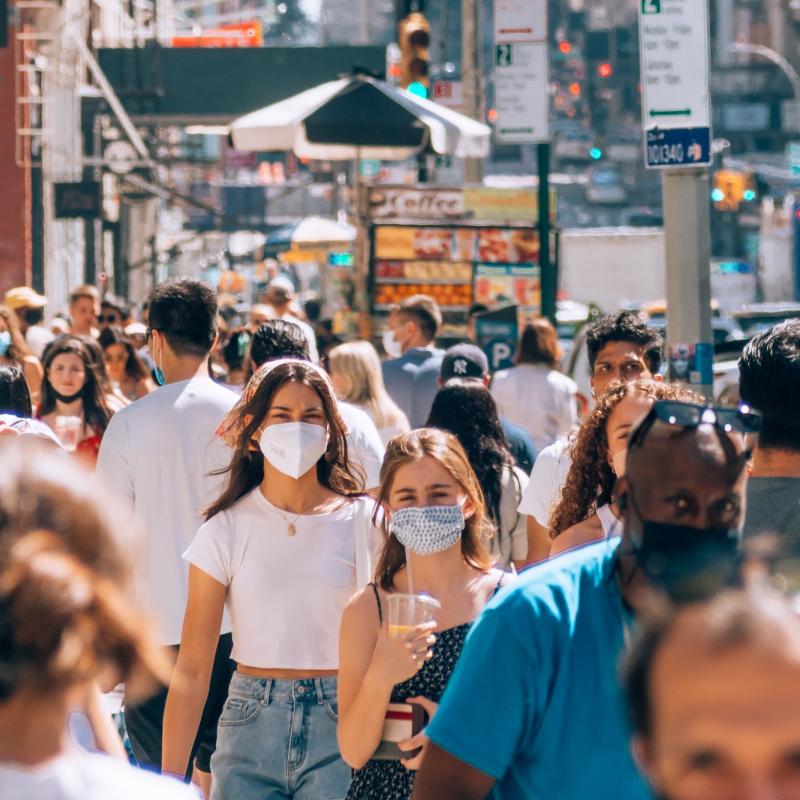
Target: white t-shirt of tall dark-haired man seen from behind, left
[159,454]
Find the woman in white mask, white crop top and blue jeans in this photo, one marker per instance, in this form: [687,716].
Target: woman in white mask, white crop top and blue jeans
[284,548]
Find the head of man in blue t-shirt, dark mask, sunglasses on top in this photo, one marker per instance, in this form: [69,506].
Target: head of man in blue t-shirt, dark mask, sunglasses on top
[682,497]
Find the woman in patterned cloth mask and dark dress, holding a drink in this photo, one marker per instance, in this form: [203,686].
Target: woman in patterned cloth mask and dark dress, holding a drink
[434,513]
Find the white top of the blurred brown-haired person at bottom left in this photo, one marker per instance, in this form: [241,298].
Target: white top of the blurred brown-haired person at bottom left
[88,776]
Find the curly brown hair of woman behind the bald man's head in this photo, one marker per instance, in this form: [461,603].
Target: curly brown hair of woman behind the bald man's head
[590,482]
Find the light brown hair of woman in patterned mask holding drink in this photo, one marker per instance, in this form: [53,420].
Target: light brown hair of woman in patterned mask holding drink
[444,448]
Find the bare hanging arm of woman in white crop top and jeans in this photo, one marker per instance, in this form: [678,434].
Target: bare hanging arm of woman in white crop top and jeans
[188,688]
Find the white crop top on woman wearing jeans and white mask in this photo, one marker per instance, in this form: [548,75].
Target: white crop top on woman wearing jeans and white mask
[286,594]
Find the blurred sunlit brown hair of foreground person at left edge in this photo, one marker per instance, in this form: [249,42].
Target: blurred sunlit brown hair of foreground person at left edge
[65,617]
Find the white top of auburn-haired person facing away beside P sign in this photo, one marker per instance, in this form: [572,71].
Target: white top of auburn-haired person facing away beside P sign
[538,398]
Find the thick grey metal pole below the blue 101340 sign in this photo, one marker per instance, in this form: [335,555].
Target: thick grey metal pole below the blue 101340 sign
[688,253]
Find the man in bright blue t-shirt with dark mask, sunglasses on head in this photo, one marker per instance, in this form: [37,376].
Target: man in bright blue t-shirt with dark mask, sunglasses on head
[535,708]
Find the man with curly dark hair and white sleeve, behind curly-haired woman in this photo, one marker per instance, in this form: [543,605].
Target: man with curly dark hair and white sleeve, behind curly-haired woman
[621,348]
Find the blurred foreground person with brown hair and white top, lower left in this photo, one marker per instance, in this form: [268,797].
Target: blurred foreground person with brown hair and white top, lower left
[66,624]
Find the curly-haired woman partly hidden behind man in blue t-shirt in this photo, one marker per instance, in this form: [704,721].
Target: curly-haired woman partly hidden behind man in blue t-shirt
[587,512]
